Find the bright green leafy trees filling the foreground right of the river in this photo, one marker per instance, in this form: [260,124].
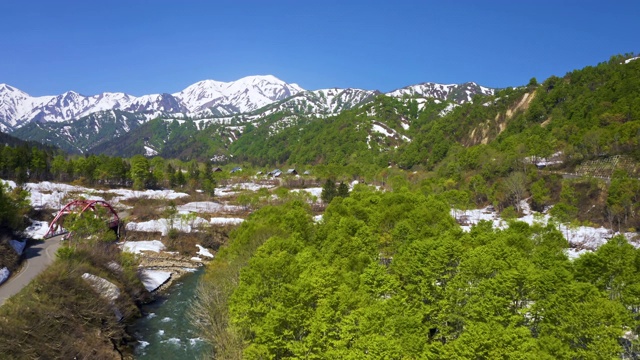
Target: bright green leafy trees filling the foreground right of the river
[391,275]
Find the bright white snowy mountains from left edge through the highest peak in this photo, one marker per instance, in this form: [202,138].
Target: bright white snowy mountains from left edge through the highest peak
[17,108]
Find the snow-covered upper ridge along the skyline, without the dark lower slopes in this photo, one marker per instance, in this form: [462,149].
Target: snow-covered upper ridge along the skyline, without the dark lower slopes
[205,98]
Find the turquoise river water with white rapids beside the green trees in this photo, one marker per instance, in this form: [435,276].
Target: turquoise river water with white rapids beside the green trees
[164,331]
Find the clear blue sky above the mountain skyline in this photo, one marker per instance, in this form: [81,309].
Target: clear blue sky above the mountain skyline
[143,47]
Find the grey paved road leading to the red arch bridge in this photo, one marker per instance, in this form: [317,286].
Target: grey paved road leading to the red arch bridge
[37,258]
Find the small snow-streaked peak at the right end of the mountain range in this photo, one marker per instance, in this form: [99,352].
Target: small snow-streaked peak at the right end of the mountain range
[458,93]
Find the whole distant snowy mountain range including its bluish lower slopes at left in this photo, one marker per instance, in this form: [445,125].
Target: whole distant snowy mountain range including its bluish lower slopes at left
[78,123]
